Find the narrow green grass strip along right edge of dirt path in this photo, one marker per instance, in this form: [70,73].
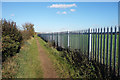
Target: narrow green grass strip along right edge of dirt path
[60,65]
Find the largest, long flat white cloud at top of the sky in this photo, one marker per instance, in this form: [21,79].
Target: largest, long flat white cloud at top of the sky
[62,5]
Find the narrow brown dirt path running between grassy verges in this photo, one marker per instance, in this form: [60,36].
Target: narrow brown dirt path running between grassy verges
[46,64]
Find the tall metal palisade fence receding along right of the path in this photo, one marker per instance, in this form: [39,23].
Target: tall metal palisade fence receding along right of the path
[101,45]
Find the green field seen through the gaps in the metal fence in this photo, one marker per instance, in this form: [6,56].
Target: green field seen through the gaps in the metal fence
[76,42]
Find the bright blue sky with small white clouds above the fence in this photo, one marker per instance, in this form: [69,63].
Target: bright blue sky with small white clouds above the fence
[60,16]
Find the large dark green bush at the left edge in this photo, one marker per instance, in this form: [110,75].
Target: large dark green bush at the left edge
[11,39]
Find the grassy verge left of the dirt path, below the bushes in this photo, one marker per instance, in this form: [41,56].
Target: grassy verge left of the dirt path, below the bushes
[25,64]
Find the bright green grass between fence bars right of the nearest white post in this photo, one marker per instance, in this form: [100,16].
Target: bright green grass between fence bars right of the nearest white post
[113,40]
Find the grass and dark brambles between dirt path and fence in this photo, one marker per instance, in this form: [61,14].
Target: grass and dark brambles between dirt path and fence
[72,64]
